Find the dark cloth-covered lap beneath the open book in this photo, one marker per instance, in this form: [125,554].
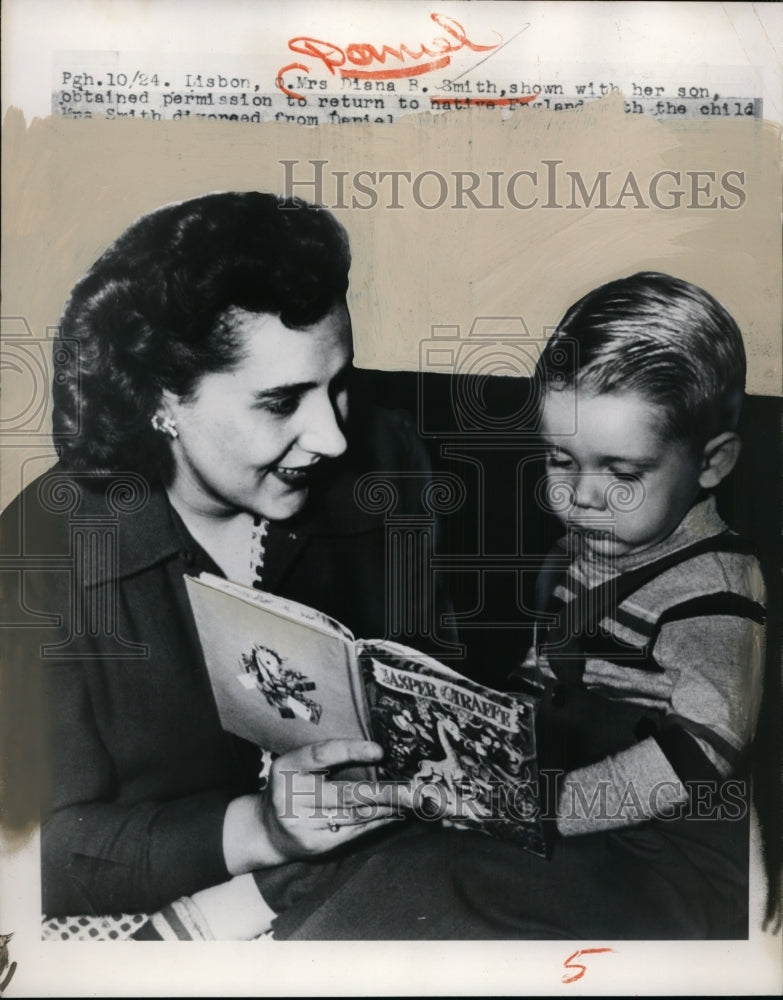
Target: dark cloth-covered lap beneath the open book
[428,883]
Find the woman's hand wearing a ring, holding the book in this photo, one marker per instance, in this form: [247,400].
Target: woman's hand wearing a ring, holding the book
[302,813]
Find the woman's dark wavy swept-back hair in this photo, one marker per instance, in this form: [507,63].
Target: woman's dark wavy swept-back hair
[151,314]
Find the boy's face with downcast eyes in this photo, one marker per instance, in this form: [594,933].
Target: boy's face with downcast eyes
[611,474]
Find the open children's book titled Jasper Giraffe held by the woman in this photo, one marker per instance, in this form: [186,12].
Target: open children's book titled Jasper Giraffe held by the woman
[285,675]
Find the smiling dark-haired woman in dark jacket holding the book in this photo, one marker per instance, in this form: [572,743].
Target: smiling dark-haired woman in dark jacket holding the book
[201,420]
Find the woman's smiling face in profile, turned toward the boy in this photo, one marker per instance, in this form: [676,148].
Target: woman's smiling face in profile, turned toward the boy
[251,438]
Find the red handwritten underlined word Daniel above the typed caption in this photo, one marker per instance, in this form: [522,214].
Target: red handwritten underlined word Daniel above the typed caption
[362,60]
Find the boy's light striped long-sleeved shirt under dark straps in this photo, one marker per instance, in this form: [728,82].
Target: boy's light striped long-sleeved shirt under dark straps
[689,643]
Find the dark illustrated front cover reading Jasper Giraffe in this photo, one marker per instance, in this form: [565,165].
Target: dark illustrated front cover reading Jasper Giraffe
[468,751]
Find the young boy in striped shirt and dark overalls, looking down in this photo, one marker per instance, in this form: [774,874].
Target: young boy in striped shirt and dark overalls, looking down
[653,656]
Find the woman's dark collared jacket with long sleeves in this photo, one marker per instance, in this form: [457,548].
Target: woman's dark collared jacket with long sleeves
[136,769]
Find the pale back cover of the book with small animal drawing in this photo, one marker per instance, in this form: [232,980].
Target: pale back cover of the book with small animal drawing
[278,681]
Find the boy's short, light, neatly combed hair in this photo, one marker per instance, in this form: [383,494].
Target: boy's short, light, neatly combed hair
[659,336]
